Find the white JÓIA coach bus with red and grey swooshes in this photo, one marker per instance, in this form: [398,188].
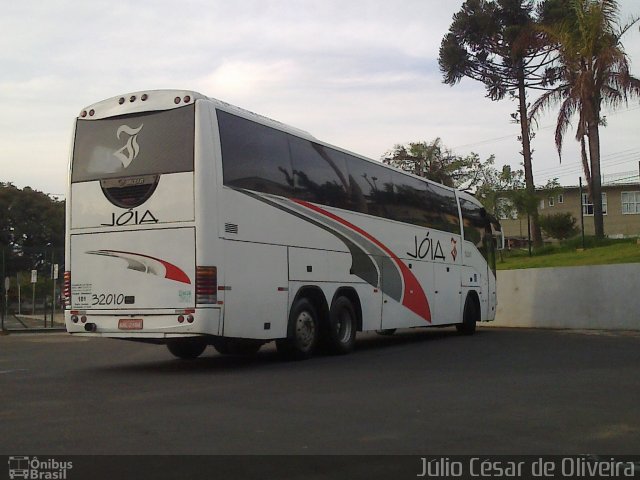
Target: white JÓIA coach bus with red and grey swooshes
[191,222]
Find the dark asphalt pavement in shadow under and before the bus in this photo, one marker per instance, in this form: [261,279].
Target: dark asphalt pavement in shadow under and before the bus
[419,392]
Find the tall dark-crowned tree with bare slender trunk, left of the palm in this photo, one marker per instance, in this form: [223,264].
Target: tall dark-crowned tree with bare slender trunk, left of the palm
[497,43]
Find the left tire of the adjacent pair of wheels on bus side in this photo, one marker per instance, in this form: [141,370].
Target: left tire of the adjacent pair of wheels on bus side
[303,332]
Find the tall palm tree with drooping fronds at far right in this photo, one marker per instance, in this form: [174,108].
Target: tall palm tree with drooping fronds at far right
[594,72]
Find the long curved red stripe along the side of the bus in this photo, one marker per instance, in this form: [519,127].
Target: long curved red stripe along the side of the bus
[413,297]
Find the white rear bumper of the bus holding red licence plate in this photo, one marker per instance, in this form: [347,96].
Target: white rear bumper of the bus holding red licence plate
[204,321]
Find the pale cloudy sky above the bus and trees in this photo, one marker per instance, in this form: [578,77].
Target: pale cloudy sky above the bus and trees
[359,74]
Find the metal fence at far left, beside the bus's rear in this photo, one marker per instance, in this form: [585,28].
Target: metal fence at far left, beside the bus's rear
[32,289]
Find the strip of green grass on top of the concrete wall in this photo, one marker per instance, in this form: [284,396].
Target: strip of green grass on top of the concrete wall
[568,254]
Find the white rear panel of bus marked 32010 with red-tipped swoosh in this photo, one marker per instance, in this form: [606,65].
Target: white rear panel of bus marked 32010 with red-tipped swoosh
[133,270]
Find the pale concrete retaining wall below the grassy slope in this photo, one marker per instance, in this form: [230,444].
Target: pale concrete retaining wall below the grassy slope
[591,297]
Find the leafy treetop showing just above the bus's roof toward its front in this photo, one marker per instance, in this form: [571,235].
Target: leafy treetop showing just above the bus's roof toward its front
[436,162]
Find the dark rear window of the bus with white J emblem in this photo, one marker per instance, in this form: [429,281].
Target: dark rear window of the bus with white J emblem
[134,145]
